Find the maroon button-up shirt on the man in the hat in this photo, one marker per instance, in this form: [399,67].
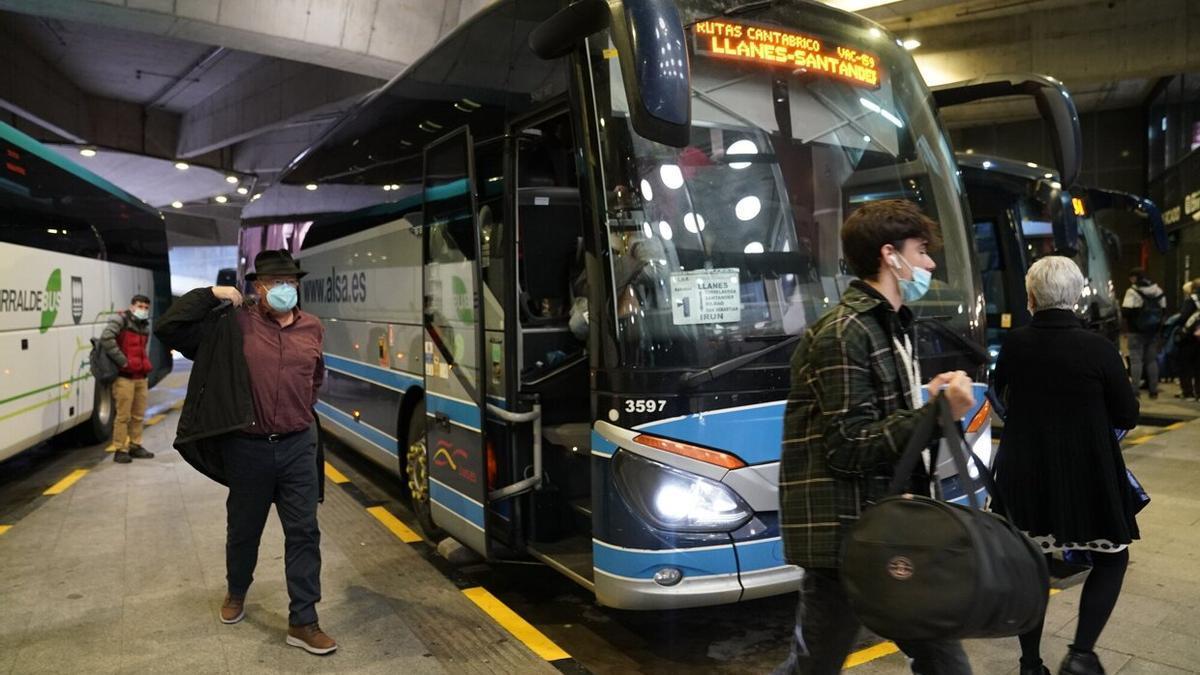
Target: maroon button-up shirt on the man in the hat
[286,369]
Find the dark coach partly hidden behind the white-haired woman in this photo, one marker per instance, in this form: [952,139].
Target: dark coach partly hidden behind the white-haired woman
[1023,212]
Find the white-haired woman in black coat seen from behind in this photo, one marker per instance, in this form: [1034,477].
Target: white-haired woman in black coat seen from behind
[1059,470]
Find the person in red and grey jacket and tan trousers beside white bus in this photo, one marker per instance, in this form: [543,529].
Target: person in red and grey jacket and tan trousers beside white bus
[127,341]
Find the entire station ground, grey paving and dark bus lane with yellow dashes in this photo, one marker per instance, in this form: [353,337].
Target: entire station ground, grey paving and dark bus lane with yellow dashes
[121,569]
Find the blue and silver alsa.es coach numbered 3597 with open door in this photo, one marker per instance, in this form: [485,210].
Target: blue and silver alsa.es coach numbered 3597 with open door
[593,237]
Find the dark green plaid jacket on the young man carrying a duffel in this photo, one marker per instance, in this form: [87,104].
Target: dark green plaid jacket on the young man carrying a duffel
[848,422]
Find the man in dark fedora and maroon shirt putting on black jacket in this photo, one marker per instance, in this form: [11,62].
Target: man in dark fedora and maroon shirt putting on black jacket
[249,423]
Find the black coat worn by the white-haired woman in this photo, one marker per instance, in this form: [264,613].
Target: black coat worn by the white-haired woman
[1060,470]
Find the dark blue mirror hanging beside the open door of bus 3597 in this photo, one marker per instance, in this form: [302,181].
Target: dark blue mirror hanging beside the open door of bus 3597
[652,46]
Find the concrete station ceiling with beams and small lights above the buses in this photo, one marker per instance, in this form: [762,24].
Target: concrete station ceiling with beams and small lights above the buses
[247,85]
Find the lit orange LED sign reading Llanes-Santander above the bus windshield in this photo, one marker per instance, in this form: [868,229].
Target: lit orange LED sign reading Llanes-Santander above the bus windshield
[772,46]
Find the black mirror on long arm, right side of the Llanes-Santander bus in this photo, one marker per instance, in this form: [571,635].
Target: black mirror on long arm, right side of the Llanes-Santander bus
[1054,105]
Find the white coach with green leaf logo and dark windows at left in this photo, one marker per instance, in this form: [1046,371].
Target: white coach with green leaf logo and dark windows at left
[74,249]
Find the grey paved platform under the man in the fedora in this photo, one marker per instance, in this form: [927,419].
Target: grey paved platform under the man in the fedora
[122,570]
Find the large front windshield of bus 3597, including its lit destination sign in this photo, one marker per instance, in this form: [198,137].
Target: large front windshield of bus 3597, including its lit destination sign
[733,243]
